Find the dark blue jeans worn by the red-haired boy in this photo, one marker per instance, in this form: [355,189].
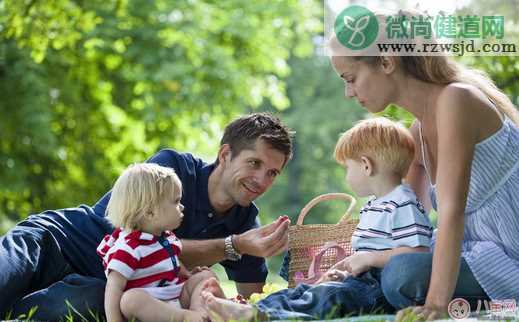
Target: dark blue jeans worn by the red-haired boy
[353,296]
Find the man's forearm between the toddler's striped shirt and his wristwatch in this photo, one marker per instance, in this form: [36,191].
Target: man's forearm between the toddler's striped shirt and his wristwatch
[202,252]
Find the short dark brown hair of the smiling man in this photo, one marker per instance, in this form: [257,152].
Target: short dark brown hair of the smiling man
[243,132]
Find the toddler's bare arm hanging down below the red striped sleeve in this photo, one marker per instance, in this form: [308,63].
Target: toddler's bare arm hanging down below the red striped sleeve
[115,285]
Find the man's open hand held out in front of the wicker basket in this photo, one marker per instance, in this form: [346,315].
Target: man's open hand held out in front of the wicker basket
[265,241]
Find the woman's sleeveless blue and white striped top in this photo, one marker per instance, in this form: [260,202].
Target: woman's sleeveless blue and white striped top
[491,241]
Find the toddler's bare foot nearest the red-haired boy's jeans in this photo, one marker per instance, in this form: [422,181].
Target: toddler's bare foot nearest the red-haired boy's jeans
[220,309]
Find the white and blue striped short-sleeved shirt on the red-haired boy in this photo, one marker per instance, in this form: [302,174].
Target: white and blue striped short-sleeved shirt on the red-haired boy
[394,220]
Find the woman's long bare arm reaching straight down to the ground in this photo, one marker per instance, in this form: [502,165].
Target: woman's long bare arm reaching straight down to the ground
[457,136]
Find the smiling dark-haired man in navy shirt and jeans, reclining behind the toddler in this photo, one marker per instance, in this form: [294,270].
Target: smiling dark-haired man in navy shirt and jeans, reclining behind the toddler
[49,260]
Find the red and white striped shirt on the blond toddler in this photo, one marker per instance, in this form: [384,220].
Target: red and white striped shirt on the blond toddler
[143,260]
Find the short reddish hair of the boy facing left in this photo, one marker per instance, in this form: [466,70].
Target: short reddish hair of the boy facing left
[378,138]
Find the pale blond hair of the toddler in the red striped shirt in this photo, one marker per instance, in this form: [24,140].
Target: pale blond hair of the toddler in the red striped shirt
[137,193]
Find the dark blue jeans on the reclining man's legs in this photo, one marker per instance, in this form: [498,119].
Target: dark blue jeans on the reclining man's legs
[34,273]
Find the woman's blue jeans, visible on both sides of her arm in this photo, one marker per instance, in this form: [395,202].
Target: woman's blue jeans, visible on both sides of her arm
[405,281]
